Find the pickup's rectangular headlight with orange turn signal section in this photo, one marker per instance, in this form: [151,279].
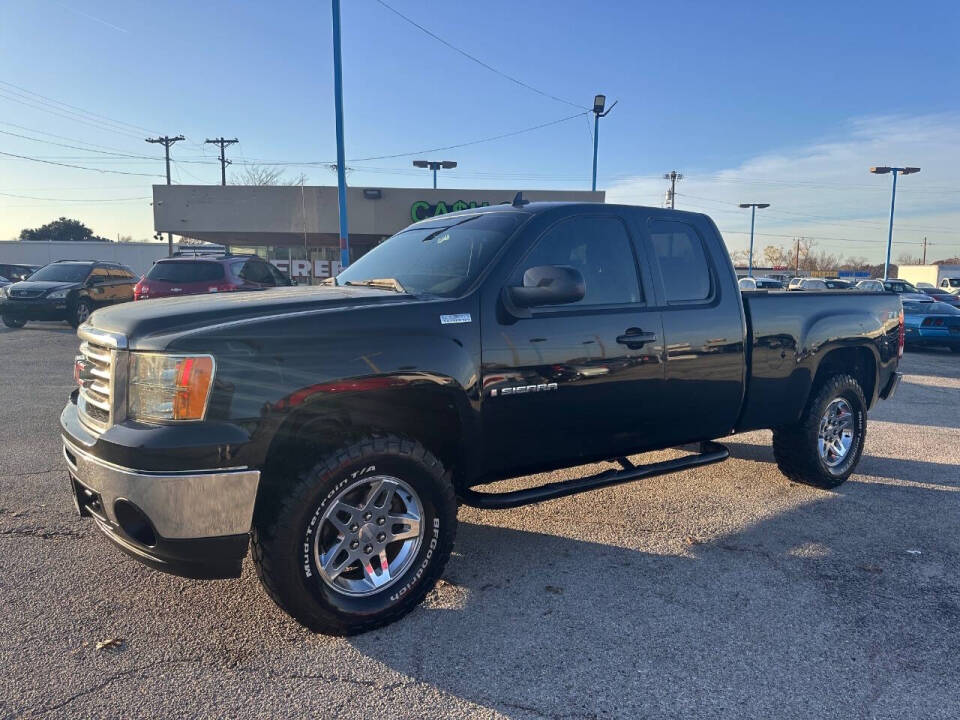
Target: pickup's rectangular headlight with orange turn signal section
[169,387]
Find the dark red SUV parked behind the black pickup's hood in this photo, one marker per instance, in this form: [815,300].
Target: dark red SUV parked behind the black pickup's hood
[198,274]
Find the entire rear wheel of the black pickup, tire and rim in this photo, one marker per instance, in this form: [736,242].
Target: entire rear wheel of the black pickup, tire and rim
[823,448]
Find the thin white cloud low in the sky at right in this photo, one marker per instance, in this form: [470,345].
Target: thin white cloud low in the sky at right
[824,189]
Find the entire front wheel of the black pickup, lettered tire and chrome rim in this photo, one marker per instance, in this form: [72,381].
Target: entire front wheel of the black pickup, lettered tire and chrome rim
[360,538]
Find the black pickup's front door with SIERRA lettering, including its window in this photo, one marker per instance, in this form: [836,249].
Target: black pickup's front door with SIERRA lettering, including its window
[580,381]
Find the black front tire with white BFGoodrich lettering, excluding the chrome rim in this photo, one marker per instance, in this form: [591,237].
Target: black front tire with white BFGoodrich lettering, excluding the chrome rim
[284,520]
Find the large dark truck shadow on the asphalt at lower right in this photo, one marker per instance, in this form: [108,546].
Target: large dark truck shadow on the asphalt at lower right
[843,585]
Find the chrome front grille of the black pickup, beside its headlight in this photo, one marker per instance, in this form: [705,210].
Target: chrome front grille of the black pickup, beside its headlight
[101,399]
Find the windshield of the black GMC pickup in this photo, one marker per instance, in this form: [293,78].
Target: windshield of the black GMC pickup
[439,257]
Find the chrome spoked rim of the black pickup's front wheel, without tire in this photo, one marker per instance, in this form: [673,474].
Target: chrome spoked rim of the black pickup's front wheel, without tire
[369,536]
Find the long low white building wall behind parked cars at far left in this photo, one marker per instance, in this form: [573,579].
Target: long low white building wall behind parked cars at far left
[139,257]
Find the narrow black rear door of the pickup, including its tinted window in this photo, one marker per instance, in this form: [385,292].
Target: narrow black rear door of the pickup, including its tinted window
[703,325]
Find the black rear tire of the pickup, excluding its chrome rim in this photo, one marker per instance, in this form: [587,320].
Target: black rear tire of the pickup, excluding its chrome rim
[795,447]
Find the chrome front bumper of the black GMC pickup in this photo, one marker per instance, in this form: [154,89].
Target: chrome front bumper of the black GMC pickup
[180,506]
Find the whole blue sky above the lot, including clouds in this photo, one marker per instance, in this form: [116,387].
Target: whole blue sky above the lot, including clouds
[770,102]
